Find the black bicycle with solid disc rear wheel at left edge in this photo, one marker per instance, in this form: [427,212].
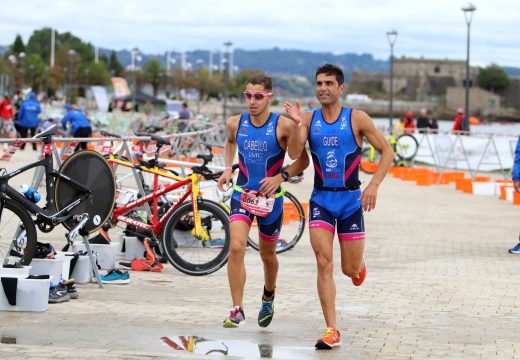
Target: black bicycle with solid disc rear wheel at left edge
[80,194]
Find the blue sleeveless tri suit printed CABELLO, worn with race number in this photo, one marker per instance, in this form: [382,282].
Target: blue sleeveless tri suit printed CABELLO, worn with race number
[259,156]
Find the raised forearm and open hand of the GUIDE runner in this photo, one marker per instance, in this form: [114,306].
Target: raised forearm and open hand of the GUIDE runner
[298,137]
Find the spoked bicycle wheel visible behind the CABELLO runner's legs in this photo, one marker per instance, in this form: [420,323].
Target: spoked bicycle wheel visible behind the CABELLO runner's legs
[292,229]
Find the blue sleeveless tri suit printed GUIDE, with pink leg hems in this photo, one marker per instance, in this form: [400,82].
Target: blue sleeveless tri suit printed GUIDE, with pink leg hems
[336,157]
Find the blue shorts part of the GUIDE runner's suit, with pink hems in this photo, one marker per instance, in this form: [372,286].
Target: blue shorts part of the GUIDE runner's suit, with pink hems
[337,209]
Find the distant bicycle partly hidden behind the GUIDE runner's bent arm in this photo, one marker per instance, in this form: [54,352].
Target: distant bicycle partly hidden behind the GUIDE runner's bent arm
[405,147]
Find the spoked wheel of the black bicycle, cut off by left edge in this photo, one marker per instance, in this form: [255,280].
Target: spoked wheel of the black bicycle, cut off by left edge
[17,234]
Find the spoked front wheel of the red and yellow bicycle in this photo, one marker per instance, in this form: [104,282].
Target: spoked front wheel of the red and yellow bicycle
[186,252]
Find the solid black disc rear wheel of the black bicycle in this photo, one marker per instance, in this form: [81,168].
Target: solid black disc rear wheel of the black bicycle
[91,170]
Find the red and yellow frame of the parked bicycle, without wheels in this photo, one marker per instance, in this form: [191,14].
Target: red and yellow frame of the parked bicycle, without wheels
[157,222]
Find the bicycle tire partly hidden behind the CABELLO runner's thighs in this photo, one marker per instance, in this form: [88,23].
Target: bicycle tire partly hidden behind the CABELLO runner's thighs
[299,224]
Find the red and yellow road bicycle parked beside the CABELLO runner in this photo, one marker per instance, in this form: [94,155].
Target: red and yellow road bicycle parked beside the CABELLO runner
[184,228]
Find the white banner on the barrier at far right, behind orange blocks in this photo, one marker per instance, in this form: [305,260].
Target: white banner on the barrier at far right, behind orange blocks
[481,152]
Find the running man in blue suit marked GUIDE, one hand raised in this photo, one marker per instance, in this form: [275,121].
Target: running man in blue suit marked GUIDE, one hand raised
[335,136]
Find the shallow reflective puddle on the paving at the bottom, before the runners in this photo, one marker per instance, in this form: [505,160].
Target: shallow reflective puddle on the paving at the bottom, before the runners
[203,346]
